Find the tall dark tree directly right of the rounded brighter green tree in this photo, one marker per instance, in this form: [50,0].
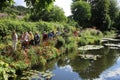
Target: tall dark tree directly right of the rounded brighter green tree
[100,14]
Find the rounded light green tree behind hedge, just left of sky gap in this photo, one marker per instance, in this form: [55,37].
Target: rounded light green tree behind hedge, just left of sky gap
[54,14]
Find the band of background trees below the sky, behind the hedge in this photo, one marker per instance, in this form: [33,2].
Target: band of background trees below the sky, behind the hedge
[102,14]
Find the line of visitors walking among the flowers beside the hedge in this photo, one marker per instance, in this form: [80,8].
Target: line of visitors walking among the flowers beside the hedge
[28,38]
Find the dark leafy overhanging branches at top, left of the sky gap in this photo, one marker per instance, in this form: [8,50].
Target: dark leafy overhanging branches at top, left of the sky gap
[38,7]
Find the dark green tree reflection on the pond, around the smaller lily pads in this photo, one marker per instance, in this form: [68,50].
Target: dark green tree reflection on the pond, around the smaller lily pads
[90,69]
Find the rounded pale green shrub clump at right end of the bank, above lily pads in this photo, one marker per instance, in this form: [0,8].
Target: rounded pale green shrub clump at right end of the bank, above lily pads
[90,36]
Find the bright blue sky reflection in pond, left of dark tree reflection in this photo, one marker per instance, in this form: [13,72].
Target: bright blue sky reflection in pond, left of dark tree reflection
[65,73]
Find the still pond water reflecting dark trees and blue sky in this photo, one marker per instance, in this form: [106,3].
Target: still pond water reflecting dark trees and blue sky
[72,67]
